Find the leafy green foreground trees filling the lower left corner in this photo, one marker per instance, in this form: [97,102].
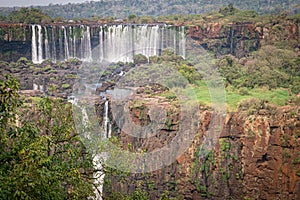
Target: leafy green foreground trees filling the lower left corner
[40,154]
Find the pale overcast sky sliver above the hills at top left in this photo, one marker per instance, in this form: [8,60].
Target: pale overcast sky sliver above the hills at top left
[11,3]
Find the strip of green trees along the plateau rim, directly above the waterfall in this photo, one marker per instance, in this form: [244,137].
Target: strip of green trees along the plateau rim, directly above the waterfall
[224,15]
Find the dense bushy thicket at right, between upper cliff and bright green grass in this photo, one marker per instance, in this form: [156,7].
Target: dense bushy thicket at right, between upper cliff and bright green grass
[269,67]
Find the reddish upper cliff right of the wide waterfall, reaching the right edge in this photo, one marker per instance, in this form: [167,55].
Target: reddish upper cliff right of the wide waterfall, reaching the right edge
[241,38]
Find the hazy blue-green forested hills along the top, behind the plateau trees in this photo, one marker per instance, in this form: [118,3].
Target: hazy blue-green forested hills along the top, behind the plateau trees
[123,8]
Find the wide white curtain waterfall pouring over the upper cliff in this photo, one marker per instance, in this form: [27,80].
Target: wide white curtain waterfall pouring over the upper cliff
[111,43]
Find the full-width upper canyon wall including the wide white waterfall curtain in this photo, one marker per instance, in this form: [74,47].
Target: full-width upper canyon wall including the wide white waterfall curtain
[59,42]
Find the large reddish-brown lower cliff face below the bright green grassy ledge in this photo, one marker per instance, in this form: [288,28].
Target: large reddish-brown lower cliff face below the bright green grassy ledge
[257,157]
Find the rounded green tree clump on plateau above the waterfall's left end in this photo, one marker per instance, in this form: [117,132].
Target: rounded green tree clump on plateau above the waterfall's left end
[28,16]
